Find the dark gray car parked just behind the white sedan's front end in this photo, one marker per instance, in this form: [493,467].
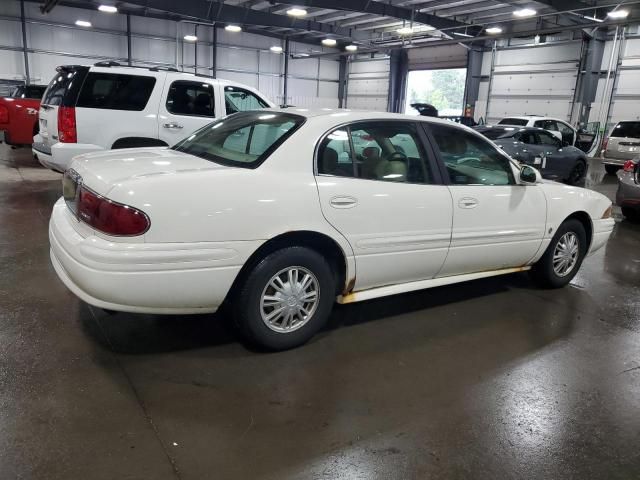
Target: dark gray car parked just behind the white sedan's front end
[537,147]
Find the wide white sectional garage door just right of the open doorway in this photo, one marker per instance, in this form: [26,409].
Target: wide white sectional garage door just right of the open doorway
[529,80]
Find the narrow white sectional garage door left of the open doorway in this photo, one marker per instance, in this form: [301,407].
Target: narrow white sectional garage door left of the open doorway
[368,83]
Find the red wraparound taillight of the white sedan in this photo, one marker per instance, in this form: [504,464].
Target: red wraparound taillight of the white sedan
[110,217]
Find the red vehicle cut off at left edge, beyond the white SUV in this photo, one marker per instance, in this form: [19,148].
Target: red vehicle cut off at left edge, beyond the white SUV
[19,114]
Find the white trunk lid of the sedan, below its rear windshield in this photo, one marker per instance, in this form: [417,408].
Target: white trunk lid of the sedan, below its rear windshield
[101,171]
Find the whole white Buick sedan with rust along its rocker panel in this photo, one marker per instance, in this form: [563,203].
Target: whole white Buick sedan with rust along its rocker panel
[279,213]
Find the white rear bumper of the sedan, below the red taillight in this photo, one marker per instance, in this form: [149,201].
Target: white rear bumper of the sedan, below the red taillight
[167,278]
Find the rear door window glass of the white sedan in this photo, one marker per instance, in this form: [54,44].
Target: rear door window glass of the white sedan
[383,151]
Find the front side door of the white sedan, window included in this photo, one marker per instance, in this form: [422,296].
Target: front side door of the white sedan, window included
[497,223]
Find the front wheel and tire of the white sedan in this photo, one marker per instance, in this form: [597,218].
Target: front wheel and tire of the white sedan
[563,257]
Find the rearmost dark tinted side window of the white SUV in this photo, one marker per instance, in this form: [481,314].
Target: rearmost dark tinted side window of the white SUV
[116,92]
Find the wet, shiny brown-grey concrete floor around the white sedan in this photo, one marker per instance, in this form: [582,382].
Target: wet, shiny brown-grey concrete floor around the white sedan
[488,379]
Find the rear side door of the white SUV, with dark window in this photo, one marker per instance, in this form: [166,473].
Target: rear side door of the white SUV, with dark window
[186,106]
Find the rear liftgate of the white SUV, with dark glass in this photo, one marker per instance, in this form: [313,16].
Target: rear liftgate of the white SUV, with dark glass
[62,91]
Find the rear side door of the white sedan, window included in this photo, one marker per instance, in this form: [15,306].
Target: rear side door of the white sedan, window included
[382,191]
